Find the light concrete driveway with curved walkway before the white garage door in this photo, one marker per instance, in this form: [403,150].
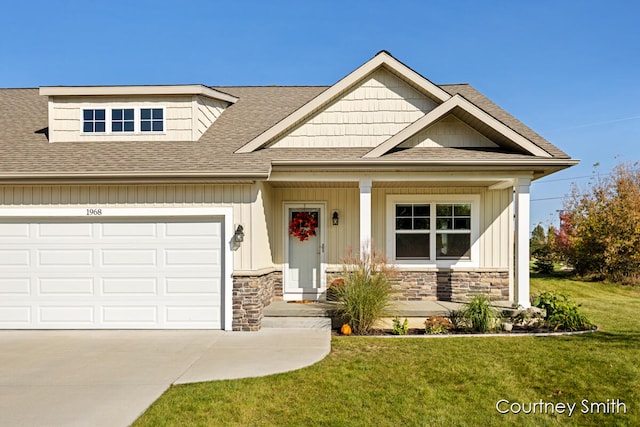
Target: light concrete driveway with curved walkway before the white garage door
[108,378]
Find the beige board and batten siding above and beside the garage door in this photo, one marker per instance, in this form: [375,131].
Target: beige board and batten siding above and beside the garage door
[243,198]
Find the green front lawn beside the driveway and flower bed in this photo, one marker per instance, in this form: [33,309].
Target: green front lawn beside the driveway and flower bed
[453,381]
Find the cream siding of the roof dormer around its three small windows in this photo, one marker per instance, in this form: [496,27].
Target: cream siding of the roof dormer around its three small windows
[186,117]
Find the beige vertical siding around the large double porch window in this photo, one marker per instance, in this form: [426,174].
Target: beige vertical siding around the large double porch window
[494,220]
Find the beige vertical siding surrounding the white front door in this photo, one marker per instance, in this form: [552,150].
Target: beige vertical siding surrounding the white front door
[339,239]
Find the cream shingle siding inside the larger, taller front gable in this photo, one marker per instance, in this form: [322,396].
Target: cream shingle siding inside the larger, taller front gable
[373,111]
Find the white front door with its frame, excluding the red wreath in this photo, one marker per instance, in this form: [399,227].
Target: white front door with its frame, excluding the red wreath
[303,278]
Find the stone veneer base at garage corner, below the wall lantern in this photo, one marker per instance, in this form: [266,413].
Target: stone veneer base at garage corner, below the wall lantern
[251,294]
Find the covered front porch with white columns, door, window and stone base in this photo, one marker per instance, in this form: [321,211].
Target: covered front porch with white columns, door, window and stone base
[359,212]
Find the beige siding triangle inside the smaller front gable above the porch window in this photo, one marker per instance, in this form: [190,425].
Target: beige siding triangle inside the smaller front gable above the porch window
[449,132]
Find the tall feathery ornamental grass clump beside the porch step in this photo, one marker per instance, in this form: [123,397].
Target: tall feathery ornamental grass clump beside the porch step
[365,295]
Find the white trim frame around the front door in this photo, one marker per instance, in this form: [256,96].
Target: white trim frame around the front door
[322,206]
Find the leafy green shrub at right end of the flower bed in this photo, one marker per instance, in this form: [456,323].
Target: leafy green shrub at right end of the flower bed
[561,312]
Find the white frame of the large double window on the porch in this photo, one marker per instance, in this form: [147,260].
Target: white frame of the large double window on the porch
[473,199]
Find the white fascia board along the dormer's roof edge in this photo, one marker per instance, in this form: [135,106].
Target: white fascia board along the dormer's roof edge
[136,90]
